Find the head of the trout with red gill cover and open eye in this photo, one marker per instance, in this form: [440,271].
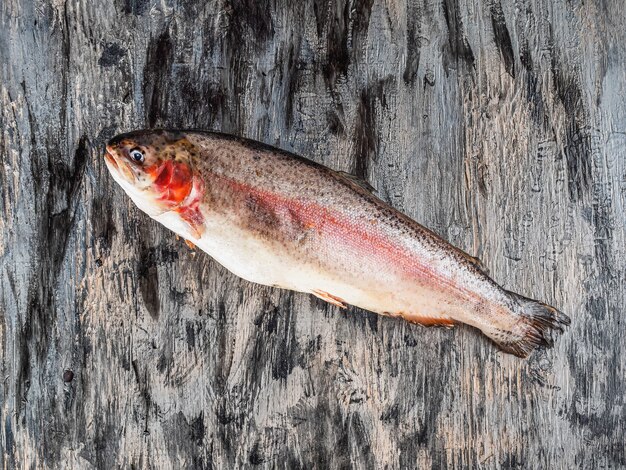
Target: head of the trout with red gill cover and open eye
[154,167]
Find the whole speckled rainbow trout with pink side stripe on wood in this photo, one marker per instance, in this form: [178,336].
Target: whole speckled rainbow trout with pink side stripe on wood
[278,219]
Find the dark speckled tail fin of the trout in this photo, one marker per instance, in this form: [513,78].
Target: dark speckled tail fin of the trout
[537,322]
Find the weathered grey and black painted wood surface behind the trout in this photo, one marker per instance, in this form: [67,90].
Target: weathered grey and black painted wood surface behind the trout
[500,124]
